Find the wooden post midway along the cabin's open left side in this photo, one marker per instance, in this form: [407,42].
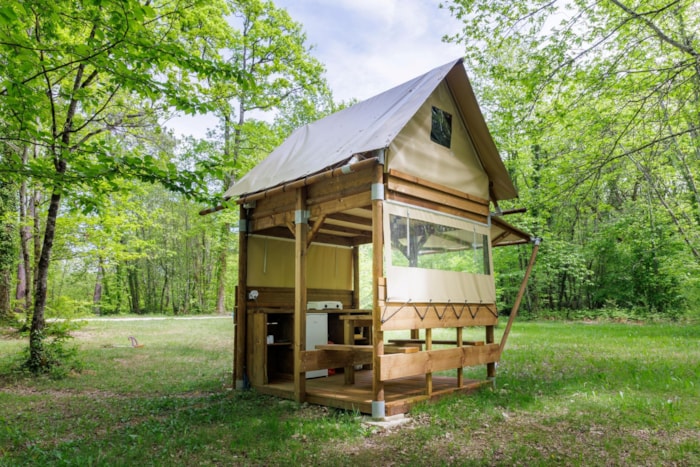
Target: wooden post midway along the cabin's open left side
[301,231]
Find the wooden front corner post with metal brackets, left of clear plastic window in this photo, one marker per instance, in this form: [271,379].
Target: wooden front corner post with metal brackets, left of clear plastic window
[378,407]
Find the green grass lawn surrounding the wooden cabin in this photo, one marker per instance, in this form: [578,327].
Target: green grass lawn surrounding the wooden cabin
[567,394]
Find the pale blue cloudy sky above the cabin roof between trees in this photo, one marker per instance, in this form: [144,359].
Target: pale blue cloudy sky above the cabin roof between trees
[367,46]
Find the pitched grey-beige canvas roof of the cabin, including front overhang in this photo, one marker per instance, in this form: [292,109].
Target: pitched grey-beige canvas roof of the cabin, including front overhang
[371,125]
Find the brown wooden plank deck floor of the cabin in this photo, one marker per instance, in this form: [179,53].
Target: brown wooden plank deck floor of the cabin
[399,394]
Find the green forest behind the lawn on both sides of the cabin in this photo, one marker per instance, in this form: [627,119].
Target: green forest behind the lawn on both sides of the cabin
[594,106]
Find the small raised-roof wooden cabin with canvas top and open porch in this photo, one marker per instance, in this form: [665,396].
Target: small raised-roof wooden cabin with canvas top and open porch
[414,174]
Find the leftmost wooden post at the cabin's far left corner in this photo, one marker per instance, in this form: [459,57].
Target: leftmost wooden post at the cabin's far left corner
[239,345]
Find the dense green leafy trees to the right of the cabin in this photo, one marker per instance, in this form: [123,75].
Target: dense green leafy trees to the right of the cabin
[594,108]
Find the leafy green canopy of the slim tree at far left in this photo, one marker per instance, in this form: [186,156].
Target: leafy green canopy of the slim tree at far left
[110,67]
